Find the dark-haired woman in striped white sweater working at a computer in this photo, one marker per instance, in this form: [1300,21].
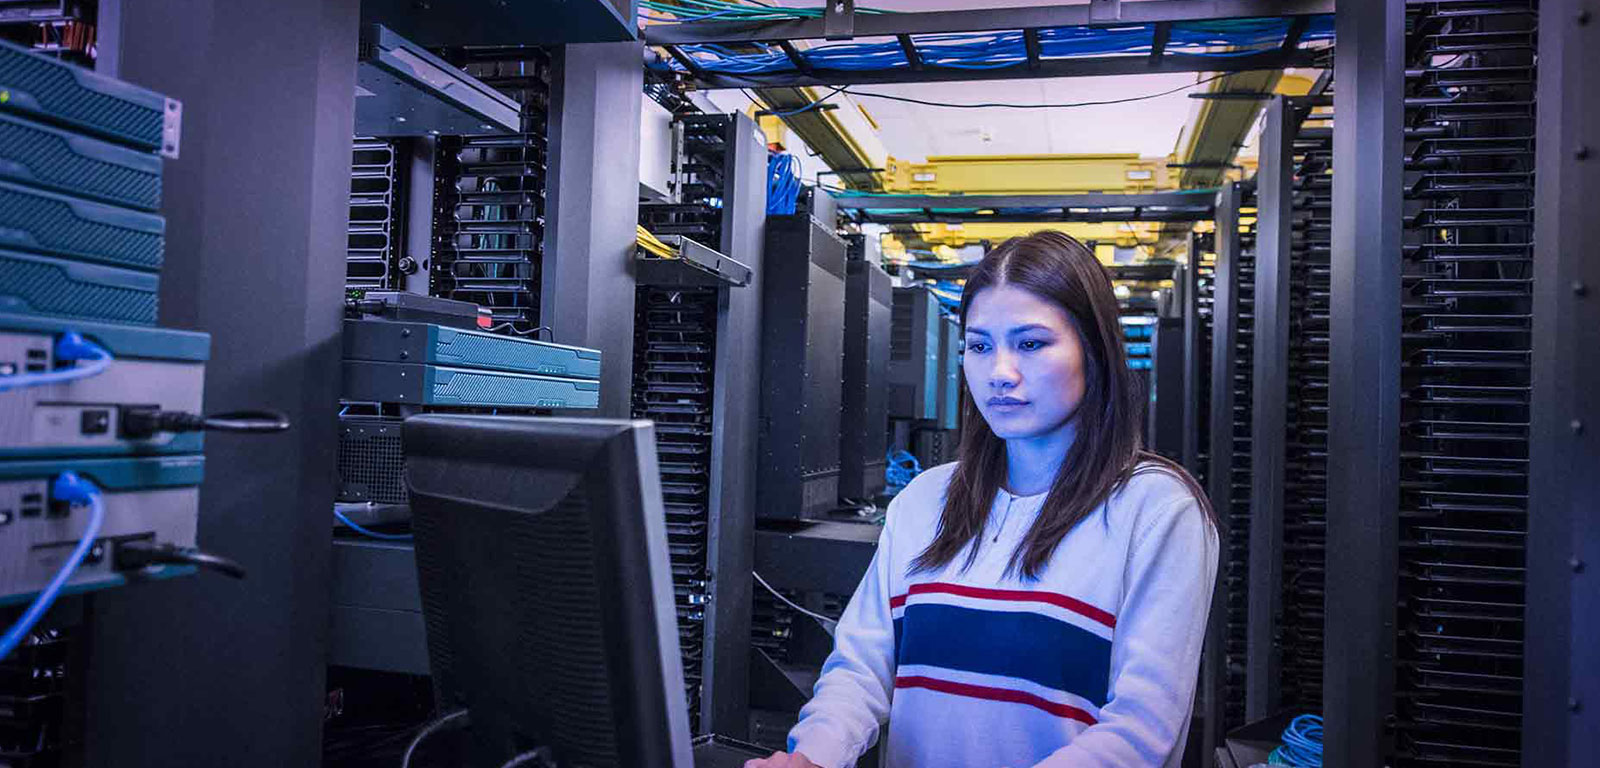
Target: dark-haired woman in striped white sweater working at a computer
[1042,601]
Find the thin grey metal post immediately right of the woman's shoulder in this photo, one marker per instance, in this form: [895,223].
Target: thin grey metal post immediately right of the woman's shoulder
[1225,335]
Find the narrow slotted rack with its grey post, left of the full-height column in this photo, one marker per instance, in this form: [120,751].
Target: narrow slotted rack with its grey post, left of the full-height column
[1289,433]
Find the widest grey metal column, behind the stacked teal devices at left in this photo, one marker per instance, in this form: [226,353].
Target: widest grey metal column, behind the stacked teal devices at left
[209,671]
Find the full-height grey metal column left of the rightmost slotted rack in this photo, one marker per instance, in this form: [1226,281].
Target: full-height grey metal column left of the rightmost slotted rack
[1364,399]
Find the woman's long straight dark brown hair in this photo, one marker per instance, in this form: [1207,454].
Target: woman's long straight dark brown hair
[1106,452]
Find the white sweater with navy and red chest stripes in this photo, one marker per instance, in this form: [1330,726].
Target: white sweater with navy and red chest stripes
[1094,665]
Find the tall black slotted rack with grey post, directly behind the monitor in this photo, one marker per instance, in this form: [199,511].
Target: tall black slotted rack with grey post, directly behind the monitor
[694,354]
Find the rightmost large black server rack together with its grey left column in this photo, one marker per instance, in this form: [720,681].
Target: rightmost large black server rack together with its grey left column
[1434,319]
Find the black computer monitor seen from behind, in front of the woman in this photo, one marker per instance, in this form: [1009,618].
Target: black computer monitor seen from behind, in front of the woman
[542,554]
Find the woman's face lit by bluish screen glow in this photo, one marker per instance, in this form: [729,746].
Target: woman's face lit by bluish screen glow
[1023,362]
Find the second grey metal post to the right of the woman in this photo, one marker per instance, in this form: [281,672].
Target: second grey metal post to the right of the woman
[1270,425]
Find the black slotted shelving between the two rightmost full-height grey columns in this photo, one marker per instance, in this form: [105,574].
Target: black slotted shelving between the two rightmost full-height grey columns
[1466,346]
